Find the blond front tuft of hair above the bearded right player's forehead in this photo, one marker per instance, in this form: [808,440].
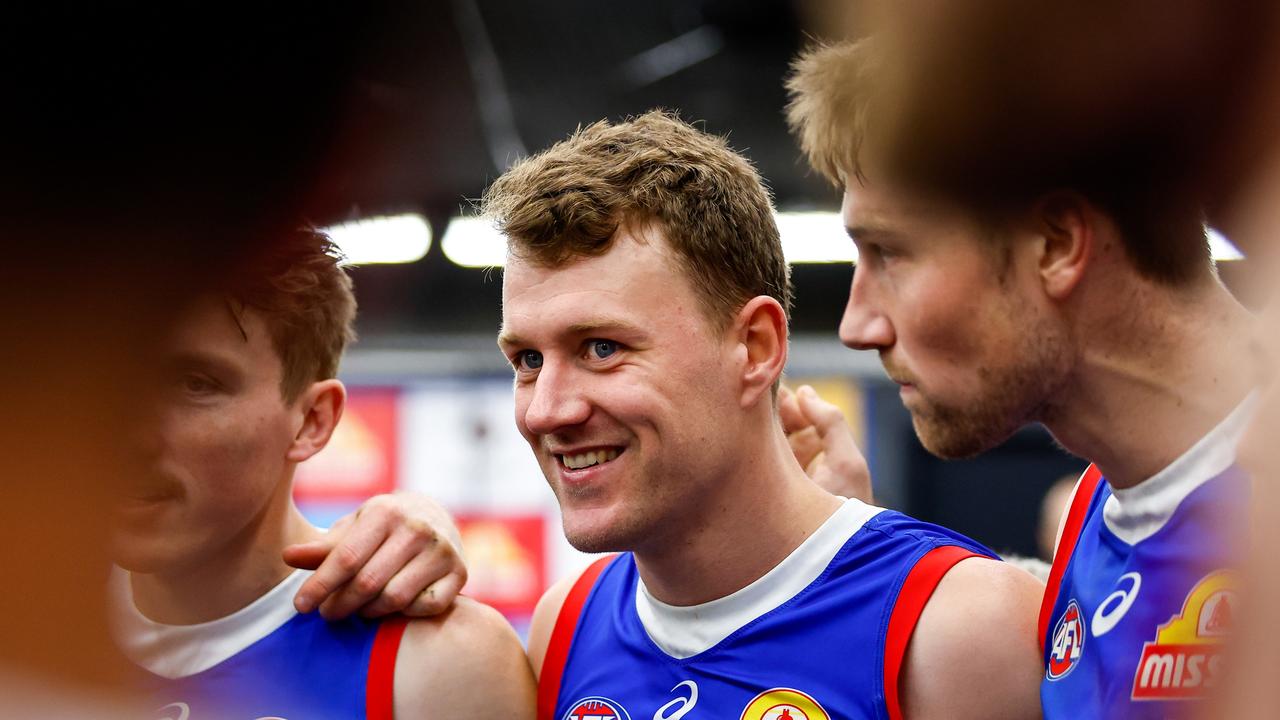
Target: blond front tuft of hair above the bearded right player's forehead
[831,89]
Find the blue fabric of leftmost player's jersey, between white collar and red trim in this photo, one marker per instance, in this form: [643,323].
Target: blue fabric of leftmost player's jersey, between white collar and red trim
[305,669]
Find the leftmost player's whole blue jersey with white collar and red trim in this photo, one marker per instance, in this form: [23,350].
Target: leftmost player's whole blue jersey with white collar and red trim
[266,660]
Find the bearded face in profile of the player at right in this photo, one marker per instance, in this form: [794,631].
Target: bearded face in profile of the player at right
[956,317]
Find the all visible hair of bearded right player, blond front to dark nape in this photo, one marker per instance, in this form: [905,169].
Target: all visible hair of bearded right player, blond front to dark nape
[842,110]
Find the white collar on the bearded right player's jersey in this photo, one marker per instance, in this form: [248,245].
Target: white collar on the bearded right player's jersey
[1136,514]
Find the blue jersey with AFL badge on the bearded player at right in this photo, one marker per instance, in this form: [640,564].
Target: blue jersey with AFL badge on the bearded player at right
[1141,594]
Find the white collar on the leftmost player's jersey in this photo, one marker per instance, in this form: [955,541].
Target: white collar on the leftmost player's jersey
[179,651]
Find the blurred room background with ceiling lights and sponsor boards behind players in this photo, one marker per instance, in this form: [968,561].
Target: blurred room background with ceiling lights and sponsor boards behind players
[447,97]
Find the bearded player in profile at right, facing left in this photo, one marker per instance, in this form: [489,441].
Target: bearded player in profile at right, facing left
[1086,302]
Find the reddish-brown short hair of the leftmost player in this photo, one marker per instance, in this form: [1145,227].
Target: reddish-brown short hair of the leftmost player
[307,302]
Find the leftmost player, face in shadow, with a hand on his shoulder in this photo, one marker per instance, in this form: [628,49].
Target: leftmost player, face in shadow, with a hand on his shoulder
[245,391]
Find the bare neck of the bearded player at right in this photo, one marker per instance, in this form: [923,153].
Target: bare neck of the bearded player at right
[1154,381]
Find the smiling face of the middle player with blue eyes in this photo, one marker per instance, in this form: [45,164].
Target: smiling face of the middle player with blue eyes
[623,391]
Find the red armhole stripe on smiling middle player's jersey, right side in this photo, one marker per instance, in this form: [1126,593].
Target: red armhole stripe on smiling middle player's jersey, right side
[917,590]
